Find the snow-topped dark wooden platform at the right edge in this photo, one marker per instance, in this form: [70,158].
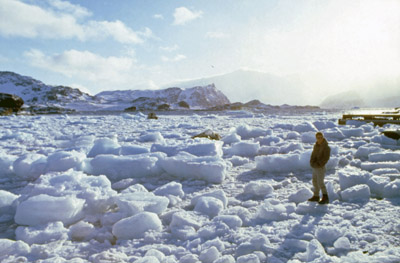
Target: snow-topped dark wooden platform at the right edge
[377,116]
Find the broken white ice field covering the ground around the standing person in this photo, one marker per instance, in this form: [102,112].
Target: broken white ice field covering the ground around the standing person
[122,188]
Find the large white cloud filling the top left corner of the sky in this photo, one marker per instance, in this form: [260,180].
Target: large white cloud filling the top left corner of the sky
[18,19]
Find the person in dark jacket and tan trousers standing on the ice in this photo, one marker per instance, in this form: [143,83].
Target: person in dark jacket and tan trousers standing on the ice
[319,157]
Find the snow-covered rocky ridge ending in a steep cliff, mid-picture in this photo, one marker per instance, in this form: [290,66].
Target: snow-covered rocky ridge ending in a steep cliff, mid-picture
[199,97]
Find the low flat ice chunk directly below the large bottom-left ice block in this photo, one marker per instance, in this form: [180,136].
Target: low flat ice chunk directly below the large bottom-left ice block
[42,234]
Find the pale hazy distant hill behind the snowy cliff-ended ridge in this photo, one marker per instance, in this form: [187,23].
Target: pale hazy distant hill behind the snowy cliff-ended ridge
[246,85]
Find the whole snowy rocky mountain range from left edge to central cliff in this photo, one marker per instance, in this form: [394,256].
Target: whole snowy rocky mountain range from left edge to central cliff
[40,97]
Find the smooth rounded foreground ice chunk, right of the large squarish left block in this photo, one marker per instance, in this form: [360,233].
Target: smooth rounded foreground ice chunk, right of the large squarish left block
[142,223]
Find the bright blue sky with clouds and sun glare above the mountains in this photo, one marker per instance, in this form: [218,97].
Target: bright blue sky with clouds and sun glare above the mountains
[122,44]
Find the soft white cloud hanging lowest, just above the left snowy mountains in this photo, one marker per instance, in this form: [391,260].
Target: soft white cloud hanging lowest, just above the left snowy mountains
[83,65]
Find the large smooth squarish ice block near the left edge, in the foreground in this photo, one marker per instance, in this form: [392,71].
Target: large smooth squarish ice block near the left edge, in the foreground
[42,209]
